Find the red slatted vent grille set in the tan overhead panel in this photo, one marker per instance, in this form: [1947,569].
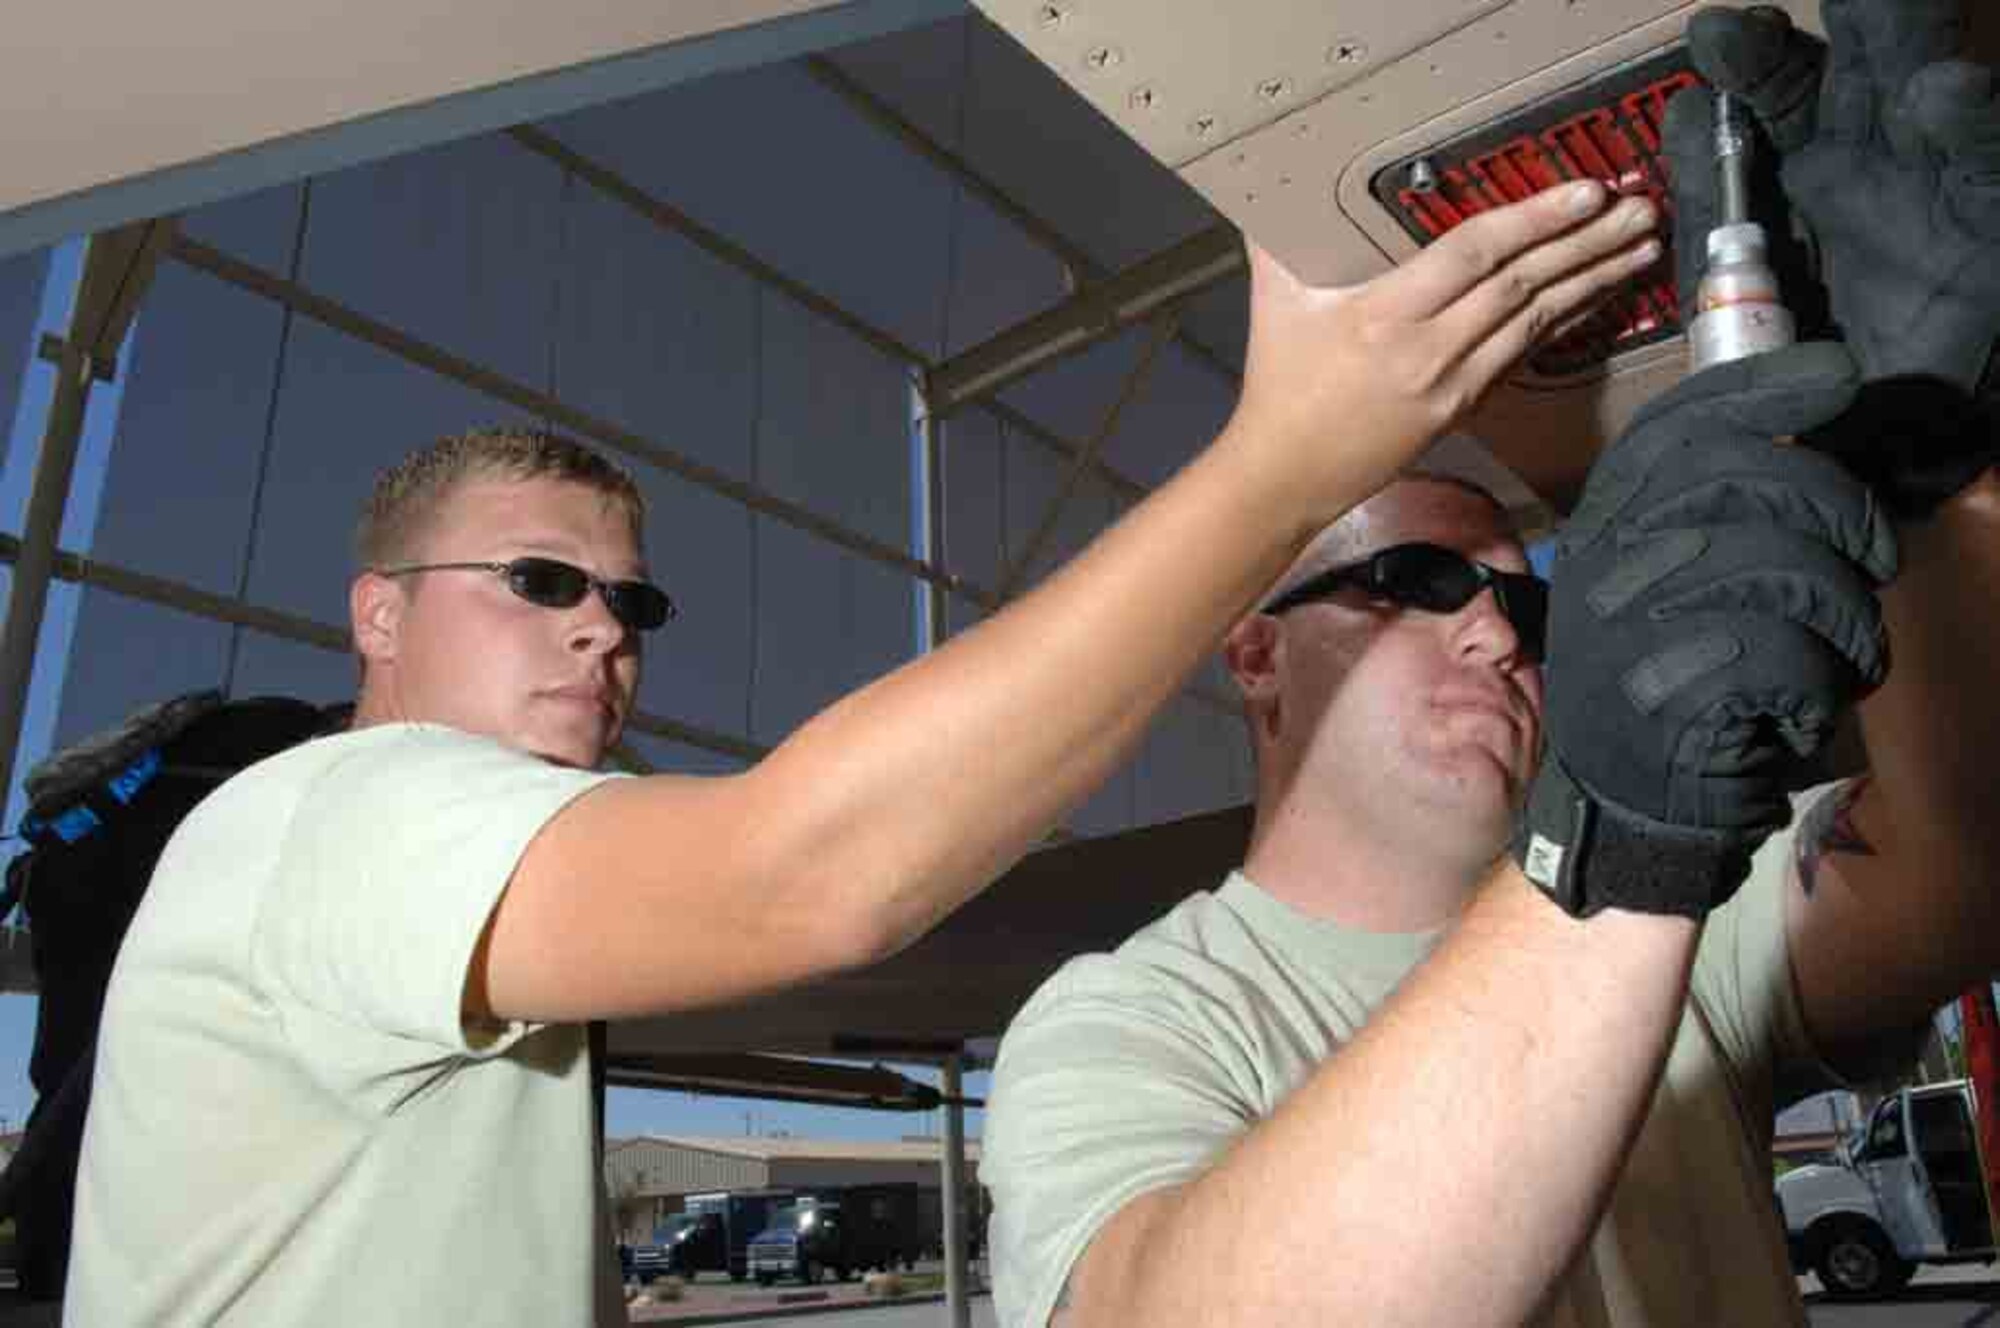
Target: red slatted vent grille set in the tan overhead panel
[1607,133]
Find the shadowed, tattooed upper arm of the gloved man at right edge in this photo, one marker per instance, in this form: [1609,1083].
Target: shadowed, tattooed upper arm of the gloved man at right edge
[1897,905]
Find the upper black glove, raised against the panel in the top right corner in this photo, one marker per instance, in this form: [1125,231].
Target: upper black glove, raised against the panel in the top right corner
[1891,157]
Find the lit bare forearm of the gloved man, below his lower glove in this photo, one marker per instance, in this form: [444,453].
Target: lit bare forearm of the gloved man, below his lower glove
[1527,1047]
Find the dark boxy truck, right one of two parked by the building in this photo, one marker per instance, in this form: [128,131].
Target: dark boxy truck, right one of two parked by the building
[845,1233]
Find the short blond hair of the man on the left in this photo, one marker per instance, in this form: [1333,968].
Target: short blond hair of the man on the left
[409,495]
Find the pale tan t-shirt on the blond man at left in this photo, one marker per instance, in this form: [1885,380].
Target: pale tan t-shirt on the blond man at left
[291,1123]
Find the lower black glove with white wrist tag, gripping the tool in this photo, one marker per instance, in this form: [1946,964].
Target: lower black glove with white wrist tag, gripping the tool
[1711,619]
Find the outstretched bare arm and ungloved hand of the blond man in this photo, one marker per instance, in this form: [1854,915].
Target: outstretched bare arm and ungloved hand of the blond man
[897,805]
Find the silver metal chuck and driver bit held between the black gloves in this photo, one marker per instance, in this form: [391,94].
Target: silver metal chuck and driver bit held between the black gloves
[1737,309]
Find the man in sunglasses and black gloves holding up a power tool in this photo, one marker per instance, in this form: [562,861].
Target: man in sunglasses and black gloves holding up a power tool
[1379,1079]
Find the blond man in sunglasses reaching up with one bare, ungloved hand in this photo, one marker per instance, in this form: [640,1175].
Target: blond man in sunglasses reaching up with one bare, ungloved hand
[345,1073]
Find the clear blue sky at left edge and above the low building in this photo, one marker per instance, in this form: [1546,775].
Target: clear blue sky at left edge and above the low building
[629,1111]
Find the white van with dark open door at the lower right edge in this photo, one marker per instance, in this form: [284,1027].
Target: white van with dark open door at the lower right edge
[1905,1189]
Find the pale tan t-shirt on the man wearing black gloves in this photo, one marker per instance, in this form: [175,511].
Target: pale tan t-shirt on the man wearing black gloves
[1133,1071]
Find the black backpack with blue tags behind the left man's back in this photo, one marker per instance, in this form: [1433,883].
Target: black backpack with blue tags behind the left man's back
[99,819]
